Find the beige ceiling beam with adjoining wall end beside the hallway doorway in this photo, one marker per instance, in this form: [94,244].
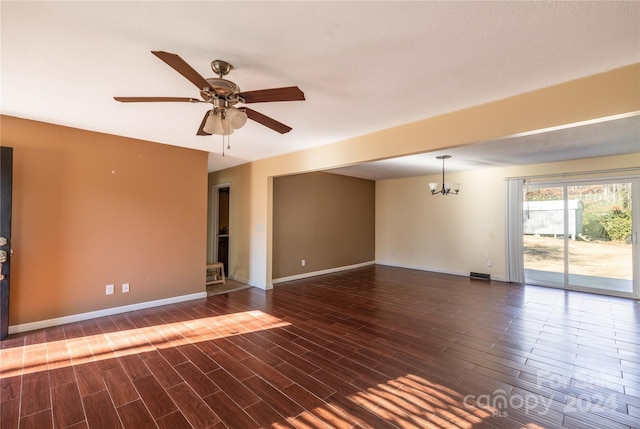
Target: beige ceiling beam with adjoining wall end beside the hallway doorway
[607,94]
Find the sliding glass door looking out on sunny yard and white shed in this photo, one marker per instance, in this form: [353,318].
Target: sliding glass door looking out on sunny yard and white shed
[581,235]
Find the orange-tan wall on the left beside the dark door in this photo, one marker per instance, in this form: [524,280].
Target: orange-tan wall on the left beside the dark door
[92,209]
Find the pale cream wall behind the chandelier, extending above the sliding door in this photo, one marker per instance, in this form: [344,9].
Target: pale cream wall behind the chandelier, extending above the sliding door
[459,234]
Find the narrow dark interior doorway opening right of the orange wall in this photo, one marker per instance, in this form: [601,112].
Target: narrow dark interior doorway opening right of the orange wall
[221,226]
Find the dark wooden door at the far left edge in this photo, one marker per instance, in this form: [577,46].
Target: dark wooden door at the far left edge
[6,182]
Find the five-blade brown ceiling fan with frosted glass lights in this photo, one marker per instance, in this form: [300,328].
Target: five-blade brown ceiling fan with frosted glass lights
[223,95]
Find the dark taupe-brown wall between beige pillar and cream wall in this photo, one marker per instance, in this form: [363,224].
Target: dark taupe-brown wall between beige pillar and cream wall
[326,219]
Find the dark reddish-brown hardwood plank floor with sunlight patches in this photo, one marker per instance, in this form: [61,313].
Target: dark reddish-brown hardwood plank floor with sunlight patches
[375,347]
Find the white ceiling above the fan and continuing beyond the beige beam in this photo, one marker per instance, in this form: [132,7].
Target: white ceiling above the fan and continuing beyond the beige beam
[363,66]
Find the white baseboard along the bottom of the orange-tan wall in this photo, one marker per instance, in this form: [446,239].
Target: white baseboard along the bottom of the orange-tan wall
[32,326]
